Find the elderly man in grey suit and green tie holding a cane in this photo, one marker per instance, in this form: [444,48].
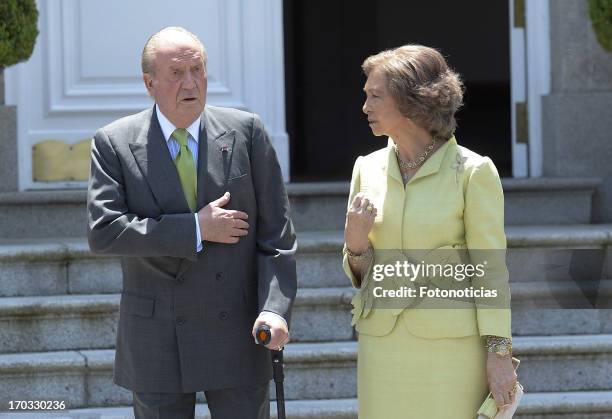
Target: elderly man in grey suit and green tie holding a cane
[192,198]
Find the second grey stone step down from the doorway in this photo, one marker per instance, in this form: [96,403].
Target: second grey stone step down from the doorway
[66,266]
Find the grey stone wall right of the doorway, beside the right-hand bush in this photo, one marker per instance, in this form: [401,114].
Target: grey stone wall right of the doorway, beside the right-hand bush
[577,115]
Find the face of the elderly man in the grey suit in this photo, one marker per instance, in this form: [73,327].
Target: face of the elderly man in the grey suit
[180,80]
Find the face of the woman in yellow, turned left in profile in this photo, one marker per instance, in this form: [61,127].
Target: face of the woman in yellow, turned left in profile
[383,113]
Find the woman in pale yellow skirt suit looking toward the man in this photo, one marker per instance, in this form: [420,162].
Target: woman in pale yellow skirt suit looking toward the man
[423,191]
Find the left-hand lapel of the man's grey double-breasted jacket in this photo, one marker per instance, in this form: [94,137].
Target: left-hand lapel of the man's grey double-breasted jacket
[153,158]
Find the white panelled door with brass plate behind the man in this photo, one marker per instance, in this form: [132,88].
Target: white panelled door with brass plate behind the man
[85,72]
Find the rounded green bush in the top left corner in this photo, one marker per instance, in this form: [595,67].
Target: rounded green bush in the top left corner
[18,30]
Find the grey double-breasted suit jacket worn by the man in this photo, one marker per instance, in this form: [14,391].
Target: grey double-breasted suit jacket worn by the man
[185,317]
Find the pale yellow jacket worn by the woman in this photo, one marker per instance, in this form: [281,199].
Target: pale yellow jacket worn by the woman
[455,200]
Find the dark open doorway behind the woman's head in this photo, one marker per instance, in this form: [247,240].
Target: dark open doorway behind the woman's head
[325,44]
